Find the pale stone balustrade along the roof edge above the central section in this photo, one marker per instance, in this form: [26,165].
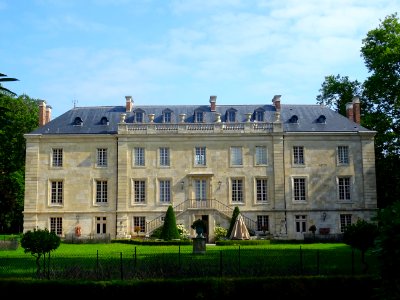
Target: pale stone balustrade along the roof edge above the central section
[203,128]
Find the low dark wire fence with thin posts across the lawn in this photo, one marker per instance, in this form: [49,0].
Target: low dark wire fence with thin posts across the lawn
[181,262]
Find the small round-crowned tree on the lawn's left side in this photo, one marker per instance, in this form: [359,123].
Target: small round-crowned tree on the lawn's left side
[40,242]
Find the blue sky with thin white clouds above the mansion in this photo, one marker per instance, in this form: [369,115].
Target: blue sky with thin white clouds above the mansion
[96,52]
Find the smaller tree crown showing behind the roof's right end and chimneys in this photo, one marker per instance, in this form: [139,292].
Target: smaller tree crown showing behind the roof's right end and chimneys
[336,91]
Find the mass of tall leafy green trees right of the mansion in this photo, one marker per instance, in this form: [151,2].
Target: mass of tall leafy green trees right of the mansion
[380,102]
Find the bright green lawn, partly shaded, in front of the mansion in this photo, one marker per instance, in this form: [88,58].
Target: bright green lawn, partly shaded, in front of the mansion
[115,260]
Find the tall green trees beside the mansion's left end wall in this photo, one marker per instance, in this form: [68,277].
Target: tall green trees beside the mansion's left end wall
[18,115]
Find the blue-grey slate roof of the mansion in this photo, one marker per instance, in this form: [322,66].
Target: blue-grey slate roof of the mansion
[105,119]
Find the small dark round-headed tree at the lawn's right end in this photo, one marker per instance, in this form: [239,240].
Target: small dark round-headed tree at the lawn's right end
[361,236]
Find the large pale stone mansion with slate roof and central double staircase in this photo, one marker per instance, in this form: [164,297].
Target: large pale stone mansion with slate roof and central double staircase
[213,165]
